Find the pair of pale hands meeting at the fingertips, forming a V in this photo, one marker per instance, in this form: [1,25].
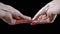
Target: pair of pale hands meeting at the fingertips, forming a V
[46,15]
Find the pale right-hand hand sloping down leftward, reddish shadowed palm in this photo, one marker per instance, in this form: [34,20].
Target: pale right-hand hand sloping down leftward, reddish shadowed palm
[47,14]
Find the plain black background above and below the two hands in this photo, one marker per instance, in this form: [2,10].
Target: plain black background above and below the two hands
[29,8]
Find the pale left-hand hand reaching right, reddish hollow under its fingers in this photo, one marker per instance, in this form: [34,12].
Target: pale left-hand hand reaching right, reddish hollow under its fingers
[12,16]
